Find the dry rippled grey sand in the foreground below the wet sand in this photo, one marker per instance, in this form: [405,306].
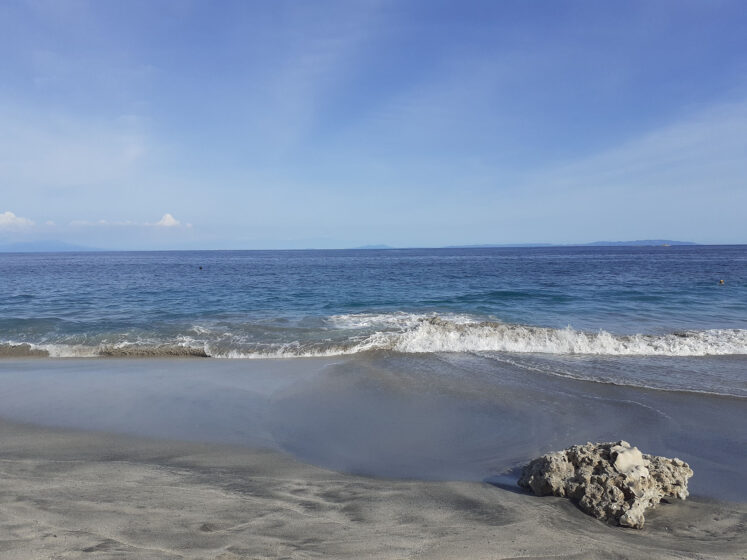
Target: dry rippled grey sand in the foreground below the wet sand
[68,494]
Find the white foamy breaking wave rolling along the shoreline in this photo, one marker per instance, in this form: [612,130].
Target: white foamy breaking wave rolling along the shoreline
[404,333]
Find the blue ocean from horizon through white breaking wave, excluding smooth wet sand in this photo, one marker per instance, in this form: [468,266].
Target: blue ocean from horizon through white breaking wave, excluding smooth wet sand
[573,311]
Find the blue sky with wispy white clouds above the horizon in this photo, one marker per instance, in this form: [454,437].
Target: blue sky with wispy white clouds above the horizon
[291,124]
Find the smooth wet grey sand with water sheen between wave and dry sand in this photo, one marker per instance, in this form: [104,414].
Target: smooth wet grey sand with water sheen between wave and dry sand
[421,416]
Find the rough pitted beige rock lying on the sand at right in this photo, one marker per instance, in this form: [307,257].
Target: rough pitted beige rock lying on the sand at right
[611,481]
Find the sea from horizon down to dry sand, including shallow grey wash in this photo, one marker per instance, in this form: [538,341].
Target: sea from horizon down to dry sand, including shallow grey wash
[416,363]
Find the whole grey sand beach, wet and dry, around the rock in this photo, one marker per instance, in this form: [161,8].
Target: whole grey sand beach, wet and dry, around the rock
[285,459]
